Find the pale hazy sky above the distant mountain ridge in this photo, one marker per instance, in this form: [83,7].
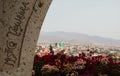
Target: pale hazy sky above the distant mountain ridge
[92,17]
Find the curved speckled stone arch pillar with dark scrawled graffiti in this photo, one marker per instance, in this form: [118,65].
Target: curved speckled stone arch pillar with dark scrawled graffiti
[20,23]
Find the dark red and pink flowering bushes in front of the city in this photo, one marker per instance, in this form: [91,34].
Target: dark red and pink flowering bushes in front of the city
[82,65]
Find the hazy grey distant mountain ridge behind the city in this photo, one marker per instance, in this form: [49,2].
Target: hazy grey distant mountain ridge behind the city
[75,37]
